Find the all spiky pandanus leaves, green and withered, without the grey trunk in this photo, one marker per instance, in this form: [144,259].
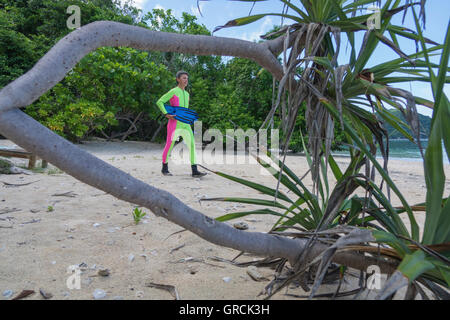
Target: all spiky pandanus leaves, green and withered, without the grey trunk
[357,97]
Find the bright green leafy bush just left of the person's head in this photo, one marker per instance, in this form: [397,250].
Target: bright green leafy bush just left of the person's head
[124,81]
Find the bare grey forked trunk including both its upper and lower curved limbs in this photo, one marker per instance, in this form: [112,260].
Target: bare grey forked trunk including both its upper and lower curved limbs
[29,134]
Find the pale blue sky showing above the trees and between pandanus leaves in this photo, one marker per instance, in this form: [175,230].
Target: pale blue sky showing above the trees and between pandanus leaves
[218,12]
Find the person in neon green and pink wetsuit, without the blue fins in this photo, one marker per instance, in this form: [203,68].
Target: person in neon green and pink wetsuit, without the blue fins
[178,97]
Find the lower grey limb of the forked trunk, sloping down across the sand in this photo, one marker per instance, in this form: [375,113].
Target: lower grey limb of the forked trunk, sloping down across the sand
[36,138]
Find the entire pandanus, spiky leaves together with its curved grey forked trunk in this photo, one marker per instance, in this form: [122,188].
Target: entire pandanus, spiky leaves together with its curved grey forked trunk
[310,74]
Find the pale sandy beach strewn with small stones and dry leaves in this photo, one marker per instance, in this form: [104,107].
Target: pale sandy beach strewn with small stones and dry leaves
[42,235]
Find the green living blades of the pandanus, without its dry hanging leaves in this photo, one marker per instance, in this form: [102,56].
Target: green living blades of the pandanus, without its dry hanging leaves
[344,98]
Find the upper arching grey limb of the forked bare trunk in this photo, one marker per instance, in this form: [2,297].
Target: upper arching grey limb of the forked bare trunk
[52,68]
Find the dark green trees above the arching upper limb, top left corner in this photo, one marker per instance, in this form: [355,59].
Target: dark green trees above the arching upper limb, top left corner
[33,27]
